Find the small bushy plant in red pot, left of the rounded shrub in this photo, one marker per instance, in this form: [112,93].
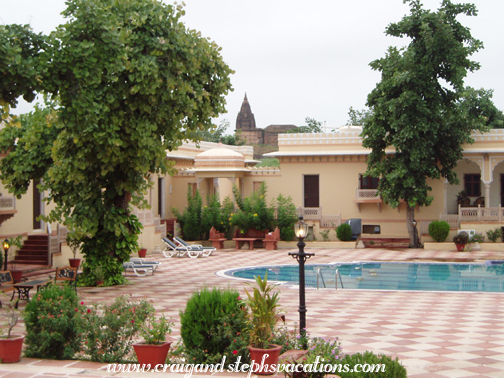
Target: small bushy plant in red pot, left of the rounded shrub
[154,349]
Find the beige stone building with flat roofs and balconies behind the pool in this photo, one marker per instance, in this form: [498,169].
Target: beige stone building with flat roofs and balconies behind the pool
[322,173]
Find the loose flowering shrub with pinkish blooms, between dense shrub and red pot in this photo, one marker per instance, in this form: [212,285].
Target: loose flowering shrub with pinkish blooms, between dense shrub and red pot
[109,329]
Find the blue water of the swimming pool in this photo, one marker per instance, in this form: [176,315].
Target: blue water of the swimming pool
[389,276]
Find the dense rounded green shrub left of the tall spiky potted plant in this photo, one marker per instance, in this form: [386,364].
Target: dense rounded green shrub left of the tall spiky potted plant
[213,325]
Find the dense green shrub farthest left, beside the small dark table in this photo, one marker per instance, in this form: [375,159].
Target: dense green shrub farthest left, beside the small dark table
[53,324]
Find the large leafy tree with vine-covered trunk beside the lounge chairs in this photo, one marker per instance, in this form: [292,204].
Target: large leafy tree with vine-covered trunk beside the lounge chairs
[131,81]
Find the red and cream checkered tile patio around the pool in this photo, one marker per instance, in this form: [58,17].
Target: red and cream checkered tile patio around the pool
[435,335]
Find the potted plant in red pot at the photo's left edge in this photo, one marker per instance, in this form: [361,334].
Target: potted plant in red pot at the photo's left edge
[10,345]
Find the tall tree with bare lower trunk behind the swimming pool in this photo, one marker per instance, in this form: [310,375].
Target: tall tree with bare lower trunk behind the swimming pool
[421,109]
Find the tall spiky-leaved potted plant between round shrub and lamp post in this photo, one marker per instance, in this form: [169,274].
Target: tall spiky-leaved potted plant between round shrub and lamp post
[264,314]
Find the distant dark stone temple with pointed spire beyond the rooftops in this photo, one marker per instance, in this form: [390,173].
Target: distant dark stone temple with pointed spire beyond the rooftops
[245,122]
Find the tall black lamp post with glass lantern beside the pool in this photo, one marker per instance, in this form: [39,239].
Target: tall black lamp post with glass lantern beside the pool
[301,230]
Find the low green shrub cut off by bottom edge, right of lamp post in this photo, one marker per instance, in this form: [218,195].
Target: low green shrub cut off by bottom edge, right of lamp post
[391,369]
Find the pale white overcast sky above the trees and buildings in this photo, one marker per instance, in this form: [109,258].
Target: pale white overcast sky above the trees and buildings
[298,59]
